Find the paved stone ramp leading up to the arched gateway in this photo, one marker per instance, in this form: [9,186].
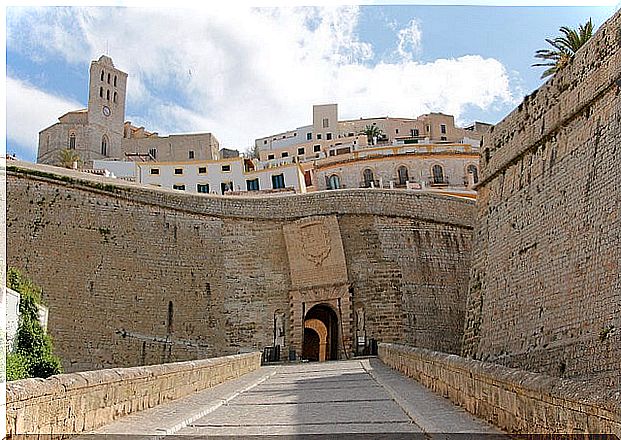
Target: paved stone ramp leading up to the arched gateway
[346,397]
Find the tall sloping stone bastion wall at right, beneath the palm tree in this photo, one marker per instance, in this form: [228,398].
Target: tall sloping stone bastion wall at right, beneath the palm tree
[545,287]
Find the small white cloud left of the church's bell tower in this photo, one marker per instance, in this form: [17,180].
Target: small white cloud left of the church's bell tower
[30,110]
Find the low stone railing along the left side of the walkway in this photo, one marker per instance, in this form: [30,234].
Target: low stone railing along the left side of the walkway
[80,402]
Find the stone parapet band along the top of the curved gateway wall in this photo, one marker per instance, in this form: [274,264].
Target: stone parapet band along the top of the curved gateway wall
[402,203]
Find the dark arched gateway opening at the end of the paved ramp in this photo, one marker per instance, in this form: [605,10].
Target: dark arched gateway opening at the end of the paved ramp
[321,334]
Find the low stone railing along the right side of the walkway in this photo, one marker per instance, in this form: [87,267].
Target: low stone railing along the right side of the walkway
[514,400]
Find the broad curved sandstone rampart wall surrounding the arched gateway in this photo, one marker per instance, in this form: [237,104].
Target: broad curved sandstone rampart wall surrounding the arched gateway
[136,276]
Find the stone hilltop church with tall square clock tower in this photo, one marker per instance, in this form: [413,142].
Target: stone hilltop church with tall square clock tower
[101,132]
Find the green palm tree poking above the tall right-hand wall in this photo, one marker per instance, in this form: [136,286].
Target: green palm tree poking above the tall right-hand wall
[565,47]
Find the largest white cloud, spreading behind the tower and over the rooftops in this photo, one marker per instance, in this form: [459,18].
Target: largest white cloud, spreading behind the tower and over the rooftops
[246,73]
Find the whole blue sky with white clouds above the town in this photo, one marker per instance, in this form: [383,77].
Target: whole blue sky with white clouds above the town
[243,72]
